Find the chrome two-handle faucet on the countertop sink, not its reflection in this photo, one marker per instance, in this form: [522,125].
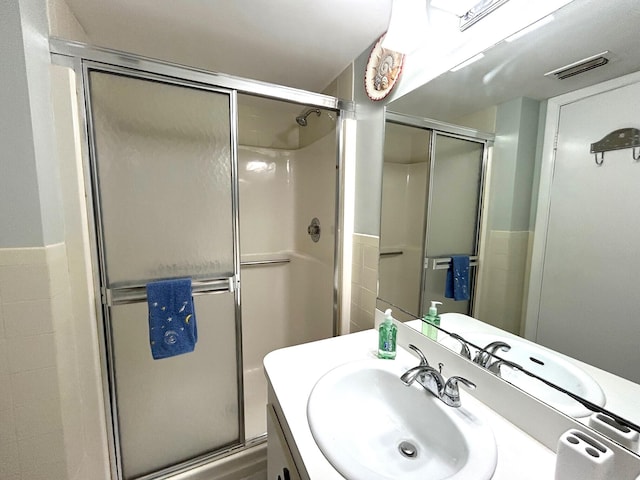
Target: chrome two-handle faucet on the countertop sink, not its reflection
[432,380]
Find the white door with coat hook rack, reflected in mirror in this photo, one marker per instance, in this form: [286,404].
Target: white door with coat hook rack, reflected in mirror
[589,301]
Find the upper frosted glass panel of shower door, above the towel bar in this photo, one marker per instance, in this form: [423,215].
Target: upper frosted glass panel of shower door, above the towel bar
[163,160]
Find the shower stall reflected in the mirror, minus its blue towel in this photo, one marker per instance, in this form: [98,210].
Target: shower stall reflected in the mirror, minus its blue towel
[432,187]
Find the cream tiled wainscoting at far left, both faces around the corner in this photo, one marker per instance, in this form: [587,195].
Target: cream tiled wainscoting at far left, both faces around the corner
[42,435]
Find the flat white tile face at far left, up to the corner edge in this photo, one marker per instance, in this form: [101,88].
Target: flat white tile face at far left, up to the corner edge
[32,443]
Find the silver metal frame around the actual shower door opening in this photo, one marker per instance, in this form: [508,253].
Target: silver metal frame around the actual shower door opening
[80,57]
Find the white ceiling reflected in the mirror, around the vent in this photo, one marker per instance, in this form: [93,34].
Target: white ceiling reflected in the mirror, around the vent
[511,70]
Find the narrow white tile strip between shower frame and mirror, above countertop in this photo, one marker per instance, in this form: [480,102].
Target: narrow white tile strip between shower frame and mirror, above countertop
[364,281]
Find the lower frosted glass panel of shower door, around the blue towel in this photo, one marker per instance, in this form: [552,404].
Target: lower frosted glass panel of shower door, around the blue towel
[181,407]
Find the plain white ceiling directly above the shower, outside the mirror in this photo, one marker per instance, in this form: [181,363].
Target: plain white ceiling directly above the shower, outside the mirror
[298,43]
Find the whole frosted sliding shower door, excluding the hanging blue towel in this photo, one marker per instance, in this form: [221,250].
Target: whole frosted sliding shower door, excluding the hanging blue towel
[165,198]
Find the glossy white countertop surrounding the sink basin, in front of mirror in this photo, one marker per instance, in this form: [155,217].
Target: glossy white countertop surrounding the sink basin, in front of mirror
[292,373]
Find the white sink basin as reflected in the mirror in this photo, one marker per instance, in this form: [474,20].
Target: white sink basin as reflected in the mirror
[546,364]
